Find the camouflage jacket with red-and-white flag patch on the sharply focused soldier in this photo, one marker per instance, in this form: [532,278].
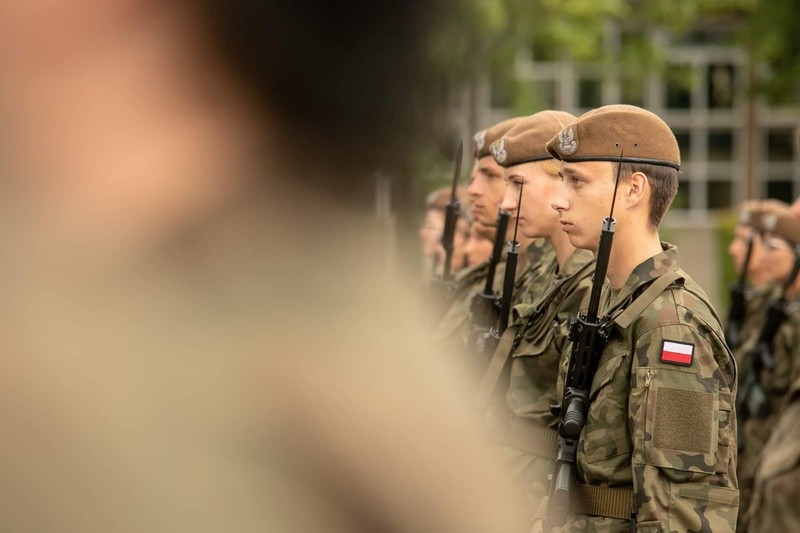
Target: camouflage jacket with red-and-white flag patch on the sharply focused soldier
[661,421]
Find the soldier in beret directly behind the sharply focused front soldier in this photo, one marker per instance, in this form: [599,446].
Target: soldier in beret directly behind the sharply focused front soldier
[525,427]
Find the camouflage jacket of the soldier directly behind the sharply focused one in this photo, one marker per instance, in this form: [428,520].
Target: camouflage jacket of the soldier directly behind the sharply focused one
[534,370]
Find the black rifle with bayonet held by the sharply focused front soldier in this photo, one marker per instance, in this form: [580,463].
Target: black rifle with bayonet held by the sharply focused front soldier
[589,336]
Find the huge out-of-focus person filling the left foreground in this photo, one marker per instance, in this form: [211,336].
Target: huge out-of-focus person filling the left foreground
[192,338]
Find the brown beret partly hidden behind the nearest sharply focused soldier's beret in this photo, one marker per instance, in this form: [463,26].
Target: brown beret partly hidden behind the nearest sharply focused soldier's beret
[527,141]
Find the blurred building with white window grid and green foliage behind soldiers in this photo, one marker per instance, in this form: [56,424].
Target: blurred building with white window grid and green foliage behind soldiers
[724,74]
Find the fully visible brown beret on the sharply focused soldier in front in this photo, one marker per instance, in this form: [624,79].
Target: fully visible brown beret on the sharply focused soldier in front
[603,133]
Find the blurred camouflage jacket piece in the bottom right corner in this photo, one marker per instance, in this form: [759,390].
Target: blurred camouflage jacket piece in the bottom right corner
[777,479]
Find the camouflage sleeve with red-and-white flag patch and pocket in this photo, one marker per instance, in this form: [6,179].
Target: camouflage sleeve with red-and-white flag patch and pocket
[681,421]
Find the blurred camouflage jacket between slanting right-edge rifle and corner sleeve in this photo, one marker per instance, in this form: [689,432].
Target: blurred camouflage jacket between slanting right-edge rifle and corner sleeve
[775,382]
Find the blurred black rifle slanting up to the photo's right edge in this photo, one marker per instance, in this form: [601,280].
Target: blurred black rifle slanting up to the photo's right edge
[751,400]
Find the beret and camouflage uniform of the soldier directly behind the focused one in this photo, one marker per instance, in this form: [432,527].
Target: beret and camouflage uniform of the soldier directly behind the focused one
[527,360]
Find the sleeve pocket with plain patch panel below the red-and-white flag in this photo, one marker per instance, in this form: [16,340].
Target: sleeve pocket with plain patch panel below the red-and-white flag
[678,417]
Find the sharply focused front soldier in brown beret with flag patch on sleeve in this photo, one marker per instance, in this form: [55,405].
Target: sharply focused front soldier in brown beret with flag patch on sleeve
[658,447]
